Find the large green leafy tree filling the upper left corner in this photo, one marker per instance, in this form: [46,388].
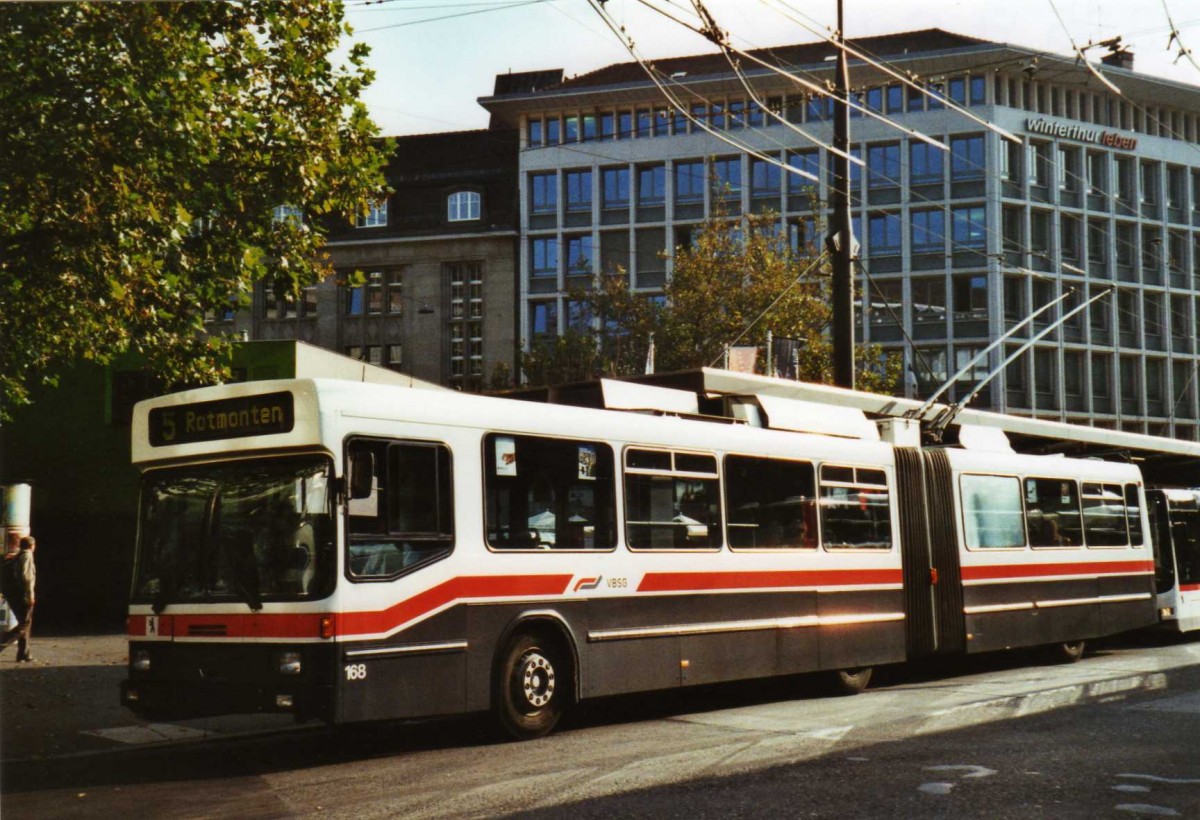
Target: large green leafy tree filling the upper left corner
[145,149]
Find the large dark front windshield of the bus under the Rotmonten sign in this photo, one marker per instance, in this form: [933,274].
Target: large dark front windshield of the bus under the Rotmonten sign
[253,531]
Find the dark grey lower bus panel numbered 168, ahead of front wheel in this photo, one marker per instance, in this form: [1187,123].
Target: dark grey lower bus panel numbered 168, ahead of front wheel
[401,677]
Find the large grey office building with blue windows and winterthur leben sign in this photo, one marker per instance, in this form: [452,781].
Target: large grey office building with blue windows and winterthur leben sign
[963,236]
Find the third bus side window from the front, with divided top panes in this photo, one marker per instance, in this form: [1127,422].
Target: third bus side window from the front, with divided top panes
[673,501]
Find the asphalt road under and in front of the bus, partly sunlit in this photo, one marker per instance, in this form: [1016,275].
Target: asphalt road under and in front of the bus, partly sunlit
[1114,737]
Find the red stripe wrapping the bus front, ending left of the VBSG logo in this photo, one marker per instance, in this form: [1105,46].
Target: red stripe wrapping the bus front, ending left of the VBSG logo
[308,625]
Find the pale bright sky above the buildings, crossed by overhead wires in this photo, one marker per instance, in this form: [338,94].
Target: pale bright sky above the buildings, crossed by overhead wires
[434,59]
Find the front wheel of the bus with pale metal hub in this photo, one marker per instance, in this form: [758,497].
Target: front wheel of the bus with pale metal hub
[531,689]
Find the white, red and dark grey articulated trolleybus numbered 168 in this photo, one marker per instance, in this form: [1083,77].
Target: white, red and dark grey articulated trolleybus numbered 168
[353,552]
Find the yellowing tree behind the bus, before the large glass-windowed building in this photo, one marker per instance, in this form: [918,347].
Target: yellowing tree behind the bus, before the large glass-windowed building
[740,282]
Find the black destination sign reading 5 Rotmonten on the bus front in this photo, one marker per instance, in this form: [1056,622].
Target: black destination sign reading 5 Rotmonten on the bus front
[229,418]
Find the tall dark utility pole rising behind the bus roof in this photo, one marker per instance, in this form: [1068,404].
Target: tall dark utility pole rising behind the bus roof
[841,238]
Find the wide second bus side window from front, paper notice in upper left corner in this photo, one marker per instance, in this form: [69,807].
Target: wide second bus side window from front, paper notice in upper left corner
[549,494]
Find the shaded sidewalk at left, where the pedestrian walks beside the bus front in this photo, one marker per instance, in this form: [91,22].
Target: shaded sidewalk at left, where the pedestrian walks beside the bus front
[68,703]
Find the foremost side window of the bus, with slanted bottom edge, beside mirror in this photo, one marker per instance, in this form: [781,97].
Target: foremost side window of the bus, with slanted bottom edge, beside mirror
[407,520]
